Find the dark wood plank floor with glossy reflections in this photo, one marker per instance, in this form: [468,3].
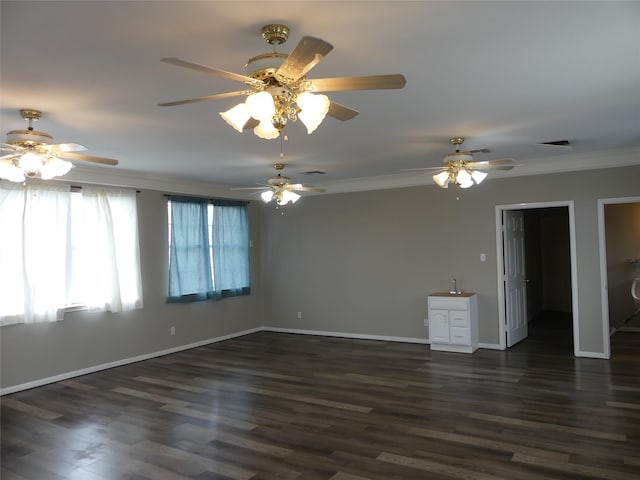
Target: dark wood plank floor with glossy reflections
[279,406]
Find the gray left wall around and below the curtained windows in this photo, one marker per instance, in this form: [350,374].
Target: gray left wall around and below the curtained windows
[84,340]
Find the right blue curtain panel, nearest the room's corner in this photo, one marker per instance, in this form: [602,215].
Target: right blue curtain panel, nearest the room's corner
[231,249]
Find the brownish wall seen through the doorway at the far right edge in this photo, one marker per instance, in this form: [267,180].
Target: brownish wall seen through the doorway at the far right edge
[622,230]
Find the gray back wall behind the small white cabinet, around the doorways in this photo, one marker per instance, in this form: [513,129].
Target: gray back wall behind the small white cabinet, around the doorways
[363,263]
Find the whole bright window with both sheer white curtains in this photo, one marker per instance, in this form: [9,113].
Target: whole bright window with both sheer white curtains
[60,248]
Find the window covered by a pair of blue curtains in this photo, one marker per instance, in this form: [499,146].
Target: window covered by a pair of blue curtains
[208,249]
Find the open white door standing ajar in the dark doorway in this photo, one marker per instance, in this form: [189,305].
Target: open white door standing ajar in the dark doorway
[515,280]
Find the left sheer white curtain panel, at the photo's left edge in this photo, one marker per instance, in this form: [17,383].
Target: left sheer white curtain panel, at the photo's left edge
[33,240]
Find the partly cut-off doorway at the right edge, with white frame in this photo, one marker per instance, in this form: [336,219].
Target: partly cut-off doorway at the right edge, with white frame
[619,238]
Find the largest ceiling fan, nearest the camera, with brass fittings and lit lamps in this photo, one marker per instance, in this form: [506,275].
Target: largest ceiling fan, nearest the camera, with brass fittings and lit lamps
[279,91]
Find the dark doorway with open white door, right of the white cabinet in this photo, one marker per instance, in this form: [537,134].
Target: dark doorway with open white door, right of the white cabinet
[532,240]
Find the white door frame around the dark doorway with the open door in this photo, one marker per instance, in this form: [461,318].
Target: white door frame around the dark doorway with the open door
[574,272]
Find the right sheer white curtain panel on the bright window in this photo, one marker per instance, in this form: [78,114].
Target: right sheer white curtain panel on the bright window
[111,255]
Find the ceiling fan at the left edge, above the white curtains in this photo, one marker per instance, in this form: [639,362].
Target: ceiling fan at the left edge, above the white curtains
[32,153]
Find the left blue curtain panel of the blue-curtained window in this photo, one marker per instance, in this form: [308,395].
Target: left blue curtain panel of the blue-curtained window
[190,277]
